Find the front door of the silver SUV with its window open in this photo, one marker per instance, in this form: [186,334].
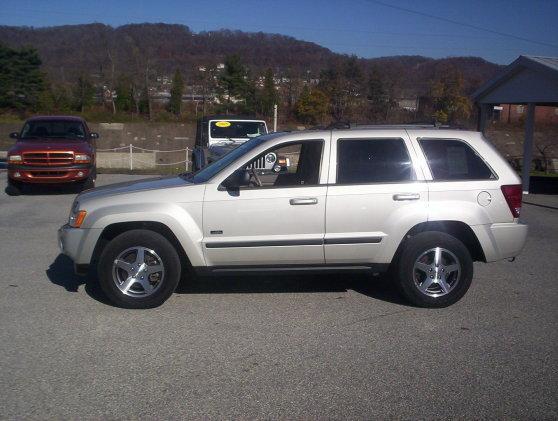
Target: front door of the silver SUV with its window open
[279,223]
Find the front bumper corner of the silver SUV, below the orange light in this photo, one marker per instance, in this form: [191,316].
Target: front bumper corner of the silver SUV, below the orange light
[78,243]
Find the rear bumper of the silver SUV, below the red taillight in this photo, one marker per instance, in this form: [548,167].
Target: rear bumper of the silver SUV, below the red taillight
[501,241]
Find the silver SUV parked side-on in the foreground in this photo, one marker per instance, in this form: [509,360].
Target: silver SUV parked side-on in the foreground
[421,203]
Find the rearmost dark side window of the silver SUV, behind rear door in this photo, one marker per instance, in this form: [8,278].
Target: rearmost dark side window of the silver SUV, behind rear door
[451,159]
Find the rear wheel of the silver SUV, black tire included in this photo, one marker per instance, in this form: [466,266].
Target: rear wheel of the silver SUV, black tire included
[408,278]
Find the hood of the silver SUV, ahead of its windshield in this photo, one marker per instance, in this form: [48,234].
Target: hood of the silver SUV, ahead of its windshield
[133,187]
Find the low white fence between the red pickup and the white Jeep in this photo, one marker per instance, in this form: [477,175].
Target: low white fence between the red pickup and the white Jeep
[126,155]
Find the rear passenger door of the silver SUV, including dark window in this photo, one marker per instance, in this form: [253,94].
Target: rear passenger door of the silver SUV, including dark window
[376,194]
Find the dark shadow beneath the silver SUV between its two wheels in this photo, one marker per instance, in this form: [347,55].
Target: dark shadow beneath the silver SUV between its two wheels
[377,287]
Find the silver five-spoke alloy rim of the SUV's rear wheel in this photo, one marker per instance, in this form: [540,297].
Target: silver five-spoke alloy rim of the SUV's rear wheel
[436,272]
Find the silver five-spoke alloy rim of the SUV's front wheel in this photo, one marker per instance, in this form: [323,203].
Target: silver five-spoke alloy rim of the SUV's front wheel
[138,272]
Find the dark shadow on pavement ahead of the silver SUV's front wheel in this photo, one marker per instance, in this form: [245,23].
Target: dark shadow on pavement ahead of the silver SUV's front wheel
[61,272]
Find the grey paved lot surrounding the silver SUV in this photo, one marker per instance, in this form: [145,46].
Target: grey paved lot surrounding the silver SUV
[320,347]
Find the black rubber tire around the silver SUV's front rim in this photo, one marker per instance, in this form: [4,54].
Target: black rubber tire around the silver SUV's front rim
[150,240]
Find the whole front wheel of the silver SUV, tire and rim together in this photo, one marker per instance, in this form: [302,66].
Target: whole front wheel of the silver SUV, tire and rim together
[139,269]
